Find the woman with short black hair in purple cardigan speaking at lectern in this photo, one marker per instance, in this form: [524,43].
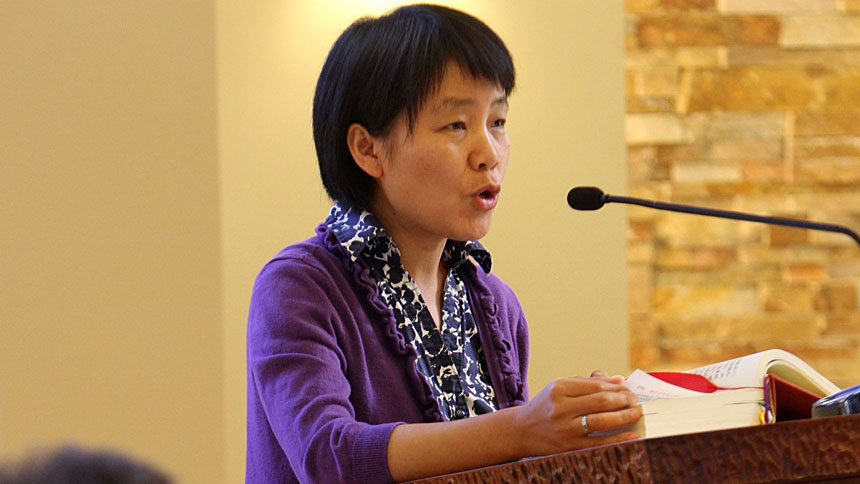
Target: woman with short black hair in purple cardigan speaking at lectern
[382,348]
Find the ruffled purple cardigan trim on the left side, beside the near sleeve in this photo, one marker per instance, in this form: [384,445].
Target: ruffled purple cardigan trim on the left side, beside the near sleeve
[361,273]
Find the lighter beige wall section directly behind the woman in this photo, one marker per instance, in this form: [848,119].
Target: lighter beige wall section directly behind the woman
[566,126]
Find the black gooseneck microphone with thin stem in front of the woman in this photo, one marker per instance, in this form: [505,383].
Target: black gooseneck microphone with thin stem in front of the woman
[593,198]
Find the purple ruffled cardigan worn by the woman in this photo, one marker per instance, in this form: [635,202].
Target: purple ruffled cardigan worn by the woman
[329,375]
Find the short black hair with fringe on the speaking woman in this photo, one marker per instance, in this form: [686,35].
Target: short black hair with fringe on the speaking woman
[380,68]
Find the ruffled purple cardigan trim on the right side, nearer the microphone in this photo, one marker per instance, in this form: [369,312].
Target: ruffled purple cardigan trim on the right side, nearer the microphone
[510,375]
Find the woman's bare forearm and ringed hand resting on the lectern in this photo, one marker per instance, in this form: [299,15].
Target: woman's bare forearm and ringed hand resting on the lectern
[550,423]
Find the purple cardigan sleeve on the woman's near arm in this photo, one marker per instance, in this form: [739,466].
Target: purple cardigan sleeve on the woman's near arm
[297,370]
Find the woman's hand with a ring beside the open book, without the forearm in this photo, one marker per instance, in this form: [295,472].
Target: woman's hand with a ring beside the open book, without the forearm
[552,421]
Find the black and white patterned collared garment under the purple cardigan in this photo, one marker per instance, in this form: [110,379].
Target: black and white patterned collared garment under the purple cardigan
[451,359]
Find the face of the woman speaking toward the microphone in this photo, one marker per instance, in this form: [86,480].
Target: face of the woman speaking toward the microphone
[442,180]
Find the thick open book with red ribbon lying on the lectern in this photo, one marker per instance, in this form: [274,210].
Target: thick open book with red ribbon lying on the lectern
[756,389]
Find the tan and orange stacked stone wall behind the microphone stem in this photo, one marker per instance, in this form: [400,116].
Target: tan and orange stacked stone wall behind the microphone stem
[748,105]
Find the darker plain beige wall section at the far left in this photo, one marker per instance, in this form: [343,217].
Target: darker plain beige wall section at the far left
[110,316]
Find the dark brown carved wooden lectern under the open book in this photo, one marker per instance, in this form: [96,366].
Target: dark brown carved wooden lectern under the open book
[823,450]
